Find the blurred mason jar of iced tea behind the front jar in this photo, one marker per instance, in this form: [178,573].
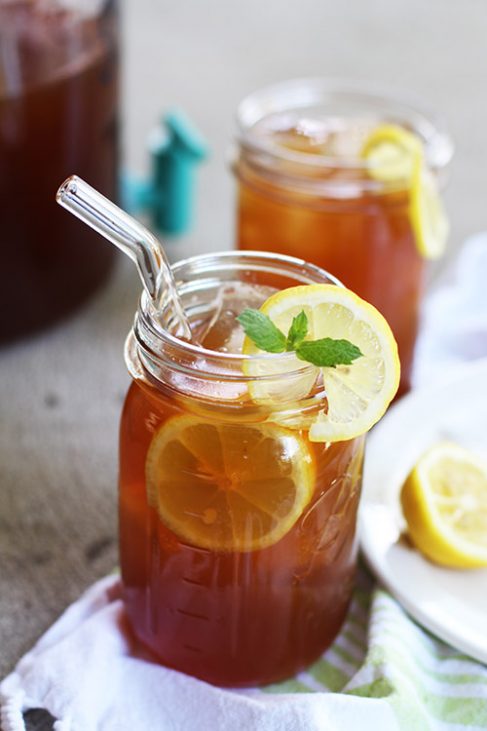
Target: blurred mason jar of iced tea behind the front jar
[304,189]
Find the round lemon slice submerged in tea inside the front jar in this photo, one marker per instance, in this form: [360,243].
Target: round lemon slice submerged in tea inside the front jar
[228,487]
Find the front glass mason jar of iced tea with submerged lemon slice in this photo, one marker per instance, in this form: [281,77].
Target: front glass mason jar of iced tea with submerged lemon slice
[237,534]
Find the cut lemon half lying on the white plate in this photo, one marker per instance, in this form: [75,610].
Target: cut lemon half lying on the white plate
[444,501]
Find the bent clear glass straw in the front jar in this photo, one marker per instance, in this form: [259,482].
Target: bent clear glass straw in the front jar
[132,238]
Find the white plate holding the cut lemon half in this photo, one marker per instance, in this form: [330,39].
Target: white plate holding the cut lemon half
[450,603]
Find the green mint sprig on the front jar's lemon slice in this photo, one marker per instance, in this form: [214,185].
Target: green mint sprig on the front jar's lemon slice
[324,353]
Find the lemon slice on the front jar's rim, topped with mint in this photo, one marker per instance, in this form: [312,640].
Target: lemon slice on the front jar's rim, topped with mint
[358,394]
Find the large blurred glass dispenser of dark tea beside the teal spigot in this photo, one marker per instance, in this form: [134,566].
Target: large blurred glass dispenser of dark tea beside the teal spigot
[58,113]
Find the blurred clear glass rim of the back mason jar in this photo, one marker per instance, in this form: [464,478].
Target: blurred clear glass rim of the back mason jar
[293,94]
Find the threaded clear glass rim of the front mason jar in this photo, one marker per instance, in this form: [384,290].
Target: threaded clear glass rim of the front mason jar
[155,340]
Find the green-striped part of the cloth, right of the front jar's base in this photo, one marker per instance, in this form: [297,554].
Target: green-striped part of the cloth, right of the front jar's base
[382,653]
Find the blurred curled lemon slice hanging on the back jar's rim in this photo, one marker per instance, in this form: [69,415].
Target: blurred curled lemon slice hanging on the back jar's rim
[394,154]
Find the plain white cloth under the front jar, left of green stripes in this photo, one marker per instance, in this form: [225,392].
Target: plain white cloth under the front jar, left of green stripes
[90,673]
